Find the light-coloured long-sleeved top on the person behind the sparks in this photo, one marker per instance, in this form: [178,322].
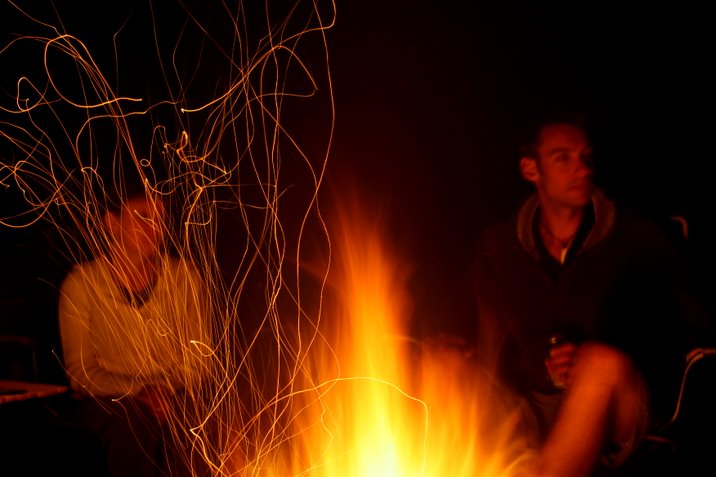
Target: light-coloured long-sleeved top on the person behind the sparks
[113,348]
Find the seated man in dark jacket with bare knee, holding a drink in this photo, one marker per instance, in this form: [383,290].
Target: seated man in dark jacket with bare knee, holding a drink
[589,308]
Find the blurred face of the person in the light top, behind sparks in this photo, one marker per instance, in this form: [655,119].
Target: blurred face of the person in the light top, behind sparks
[137,229]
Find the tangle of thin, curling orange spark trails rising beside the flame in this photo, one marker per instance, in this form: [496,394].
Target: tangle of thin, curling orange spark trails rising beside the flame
[69,136]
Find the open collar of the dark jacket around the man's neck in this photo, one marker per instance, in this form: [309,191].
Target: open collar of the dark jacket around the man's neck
[604,213]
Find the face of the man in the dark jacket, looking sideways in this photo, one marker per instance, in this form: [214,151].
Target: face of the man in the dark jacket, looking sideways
[562,171]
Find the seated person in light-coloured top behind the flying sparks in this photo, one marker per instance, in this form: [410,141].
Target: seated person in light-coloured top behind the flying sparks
[134,335]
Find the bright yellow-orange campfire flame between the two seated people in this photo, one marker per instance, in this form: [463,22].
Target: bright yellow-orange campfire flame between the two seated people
[375,403]
